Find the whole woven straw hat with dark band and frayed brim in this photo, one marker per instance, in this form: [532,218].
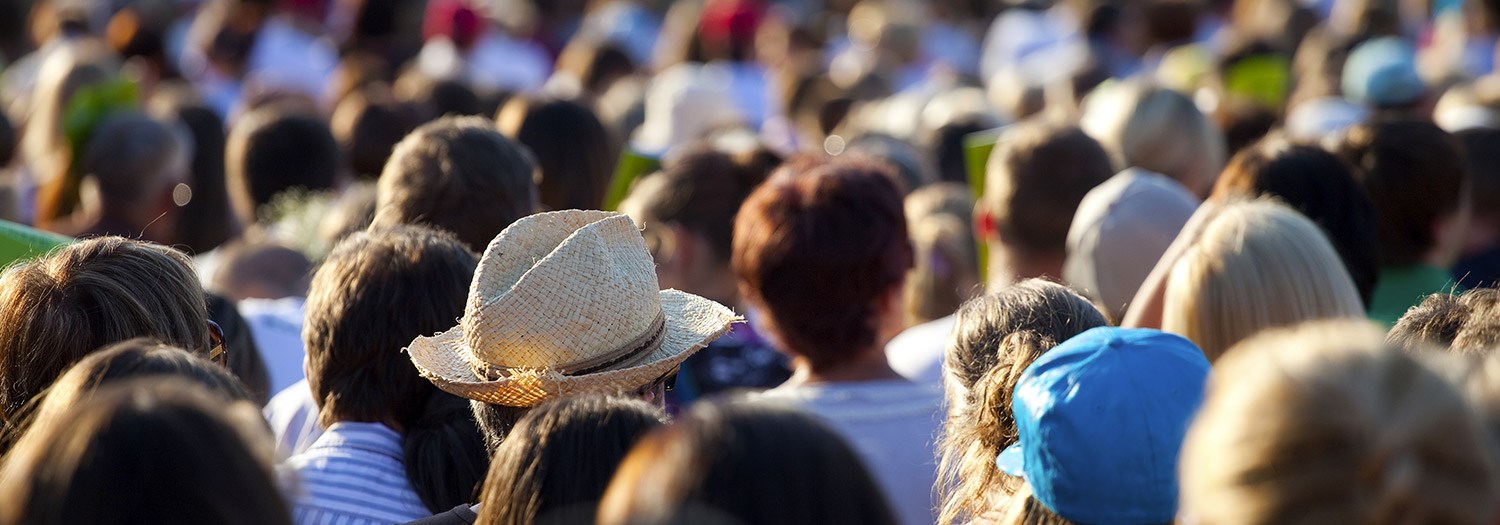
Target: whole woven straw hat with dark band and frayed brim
[562,304]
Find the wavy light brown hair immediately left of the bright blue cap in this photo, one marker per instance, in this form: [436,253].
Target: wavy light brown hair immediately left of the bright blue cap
[995,338]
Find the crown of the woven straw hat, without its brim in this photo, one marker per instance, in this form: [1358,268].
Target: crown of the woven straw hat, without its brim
[562,289]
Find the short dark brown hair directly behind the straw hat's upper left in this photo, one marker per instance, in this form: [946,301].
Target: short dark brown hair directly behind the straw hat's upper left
[458,175]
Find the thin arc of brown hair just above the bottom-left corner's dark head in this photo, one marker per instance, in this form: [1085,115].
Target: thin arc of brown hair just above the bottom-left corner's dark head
[133,359]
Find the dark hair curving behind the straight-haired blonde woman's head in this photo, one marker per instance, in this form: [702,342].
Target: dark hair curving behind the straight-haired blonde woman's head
[1322,188]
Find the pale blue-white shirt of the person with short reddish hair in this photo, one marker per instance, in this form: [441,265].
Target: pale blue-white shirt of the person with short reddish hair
[892,425]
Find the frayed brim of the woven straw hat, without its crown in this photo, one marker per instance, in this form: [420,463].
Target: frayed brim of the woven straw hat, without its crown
[691,325]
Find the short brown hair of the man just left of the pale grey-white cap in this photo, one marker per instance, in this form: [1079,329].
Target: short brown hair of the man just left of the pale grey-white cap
[1036,179]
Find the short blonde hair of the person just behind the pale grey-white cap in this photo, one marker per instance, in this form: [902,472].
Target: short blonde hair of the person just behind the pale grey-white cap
[1159,130]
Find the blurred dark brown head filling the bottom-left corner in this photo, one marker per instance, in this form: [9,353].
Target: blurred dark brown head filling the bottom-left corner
[143,452]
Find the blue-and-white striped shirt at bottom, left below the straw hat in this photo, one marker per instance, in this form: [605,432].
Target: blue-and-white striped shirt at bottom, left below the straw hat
[352,476]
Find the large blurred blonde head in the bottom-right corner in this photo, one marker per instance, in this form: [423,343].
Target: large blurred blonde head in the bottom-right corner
[1327,424]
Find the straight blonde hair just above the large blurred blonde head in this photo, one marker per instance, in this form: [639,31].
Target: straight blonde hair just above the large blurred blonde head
[1259,265]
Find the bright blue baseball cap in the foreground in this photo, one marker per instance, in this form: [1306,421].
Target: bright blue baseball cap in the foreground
[1102,419]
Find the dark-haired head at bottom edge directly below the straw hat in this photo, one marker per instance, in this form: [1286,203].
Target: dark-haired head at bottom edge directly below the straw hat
[557,463]
